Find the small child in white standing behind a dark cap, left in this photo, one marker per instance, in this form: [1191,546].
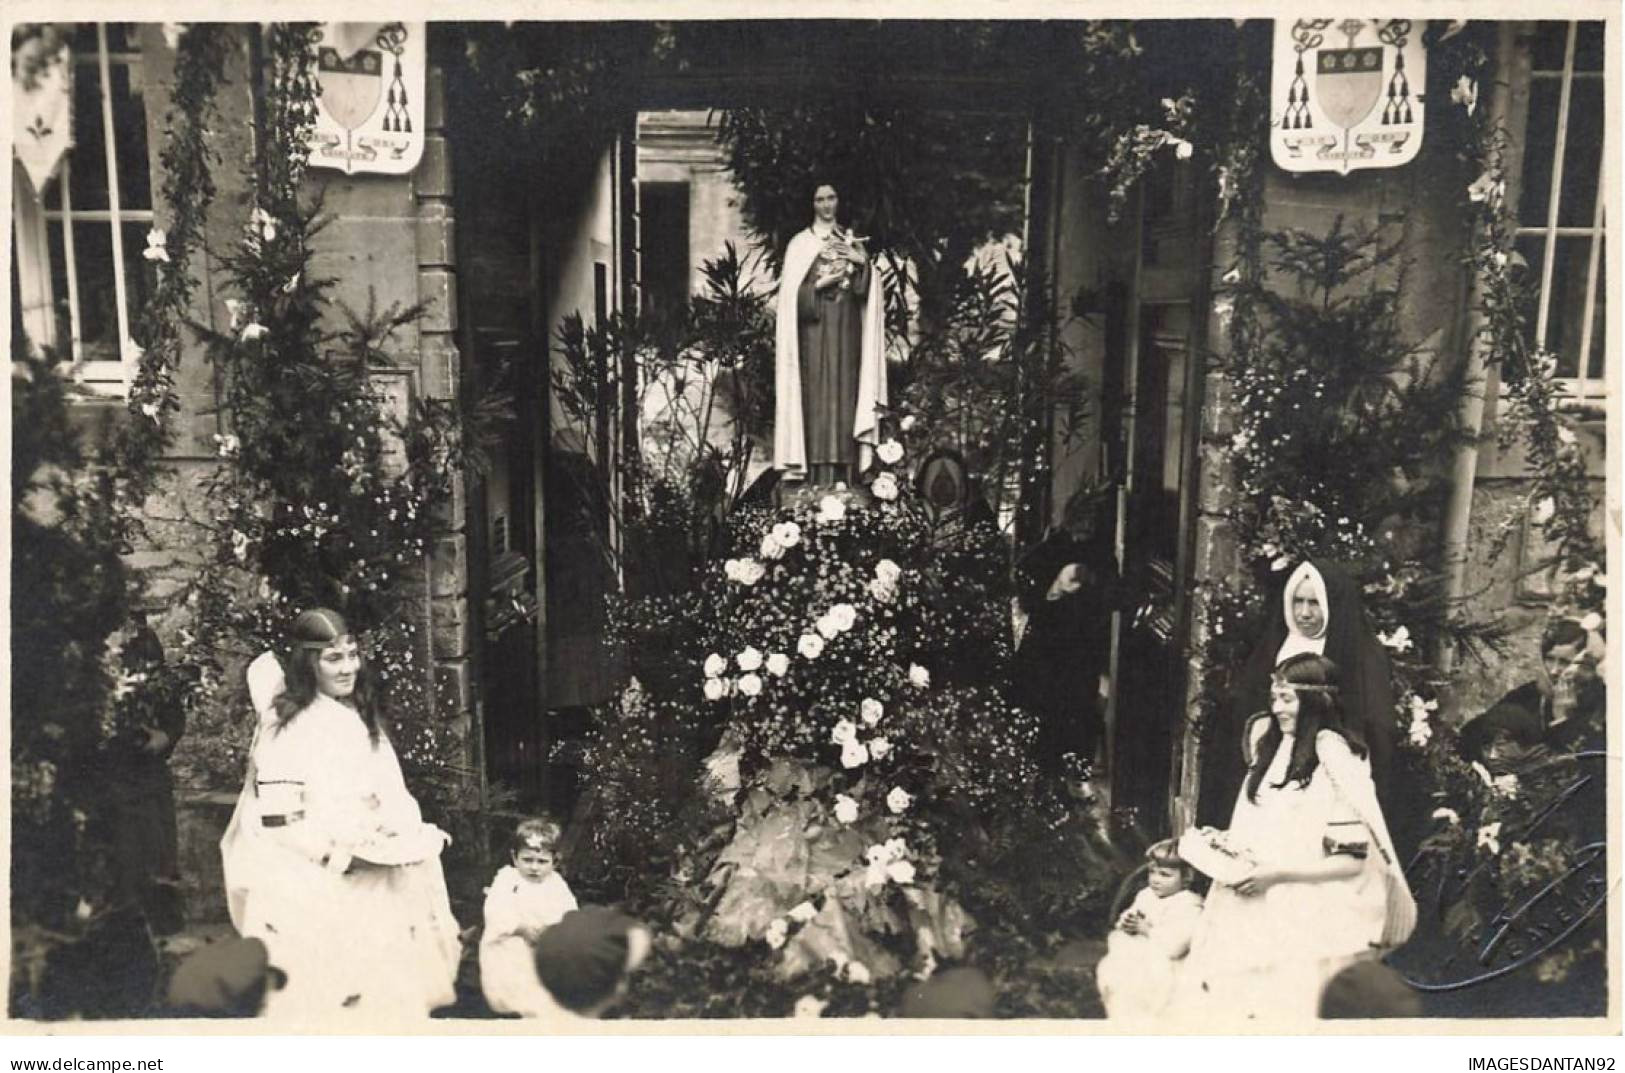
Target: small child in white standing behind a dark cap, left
[524,900]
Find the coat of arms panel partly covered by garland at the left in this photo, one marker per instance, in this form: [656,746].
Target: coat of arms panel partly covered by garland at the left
[370,108]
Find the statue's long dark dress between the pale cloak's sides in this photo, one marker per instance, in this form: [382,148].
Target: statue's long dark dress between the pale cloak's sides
[830,328]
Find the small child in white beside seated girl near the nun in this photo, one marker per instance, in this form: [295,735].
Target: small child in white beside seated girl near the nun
[1155,932]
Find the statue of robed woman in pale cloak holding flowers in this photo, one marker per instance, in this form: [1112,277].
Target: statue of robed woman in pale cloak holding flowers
[831,352]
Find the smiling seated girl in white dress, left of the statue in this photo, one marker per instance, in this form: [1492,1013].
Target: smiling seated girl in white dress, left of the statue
[327,858]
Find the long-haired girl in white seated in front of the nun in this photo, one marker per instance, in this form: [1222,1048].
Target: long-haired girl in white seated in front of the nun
[1325,888]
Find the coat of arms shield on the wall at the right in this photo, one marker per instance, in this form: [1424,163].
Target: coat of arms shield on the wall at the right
[1353,106]
